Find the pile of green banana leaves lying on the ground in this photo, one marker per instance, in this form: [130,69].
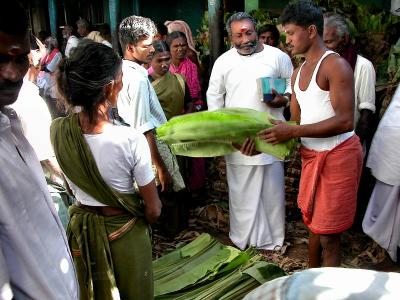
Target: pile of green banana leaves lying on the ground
[206,269]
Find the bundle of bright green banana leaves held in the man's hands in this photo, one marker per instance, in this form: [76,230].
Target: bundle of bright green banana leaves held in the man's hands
[213,133]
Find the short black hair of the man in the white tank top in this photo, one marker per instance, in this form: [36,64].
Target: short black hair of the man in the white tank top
[303,13]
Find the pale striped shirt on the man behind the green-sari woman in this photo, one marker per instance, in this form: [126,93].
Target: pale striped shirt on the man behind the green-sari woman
[138,104]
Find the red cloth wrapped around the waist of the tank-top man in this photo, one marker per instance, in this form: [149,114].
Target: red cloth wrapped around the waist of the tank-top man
[328,186]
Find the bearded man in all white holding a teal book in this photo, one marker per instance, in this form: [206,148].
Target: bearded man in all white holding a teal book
[256,183]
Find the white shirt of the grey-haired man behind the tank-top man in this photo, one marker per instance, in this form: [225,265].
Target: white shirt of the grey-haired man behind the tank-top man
[364,87]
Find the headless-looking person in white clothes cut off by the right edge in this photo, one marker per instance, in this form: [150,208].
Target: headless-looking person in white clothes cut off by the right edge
[382,218]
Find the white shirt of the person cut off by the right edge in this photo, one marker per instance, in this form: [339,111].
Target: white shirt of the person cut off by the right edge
[384,158]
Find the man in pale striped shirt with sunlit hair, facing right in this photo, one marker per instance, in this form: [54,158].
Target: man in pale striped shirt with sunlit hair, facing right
[138,104]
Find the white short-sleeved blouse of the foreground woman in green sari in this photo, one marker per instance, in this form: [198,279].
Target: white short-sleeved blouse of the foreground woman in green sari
[122,156]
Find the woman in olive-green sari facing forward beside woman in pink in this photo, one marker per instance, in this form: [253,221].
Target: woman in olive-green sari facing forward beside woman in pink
[171,88]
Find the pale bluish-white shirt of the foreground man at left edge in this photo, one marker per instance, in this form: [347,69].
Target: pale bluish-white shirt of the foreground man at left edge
[34,255]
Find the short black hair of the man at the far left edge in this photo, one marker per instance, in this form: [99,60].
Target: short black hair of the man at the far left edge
[13,18]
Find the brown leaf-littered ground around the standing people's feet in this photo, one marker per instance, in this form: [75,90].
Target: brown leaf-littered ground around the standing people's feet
[211,215]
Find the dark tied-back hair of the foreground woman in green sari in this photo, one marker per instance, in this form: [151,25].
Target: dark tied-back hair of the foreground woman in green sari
[82,77]
